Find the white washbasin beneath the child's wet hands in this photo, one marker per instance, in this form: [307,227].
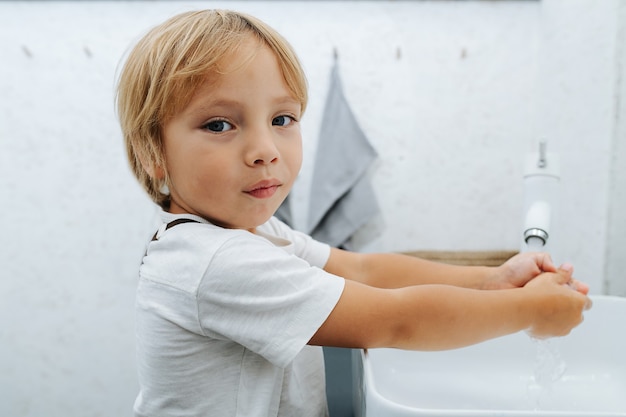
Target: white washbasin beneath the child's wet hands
[498,377]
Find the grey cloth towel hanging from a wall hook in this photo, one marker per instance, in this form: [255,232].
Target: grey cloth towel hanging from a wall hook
[342,198]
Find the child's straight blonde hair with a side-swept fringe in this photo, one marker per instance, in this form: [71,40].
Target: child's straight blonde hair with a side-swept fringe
[168,64]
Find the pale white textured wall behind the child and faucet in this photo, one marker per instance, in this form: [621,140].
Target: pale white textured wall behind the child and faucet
[452,95]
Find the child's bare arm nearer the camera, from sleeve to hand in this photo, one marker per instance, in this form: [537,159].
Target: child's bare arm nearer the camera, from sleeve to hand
[435,317]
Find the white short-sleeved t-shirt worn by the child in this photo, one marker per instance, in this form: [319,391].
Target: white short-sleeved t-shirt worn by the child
[223,318]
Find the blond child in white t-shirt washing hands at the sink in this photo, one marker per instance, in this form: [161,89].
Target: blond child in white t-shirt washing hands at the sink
[232,305]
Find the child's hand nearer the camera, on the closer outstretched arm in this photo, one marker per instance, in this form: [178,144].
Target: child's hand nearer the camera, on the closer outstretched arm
[559,307]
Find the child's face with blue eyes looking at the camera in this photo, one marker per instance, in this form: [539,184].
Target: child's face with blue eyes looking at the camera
[233,154]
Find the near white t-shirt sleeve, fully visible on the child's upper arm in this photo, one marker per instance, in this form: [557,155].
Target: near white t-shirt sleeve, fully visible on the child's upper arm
[264,298]
